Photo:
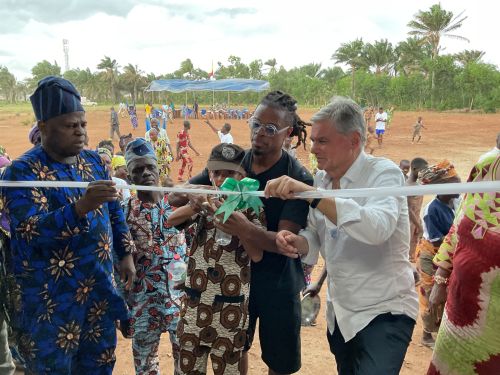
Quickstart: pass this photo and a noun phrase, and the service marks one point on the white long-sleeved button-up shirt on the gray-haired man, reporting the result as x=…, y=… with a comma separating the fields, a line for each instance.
x=366, y=253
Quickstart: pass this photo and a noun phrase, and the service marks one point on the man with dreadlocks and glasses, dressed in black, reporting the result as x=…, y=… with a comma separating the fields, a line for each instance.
x=276, y=280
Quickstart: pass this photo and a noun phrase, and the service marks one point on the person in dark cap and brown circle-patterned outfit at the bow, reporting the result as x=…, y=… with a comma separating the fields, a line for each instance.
x=214, y=318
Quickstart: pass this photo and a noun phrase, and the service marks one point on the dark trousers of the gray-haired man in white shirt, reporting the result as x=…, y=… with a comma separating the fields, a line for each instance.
x=378, y=349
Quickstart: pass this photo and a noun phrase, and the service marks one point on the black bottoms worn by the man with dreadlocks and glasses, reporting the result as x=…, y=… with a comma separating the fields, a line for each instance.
x=279, y=329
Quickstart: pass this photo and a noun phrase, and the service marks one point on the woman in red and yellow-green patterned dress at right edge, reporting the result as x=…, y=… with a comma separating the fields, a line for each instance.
x=468, y=278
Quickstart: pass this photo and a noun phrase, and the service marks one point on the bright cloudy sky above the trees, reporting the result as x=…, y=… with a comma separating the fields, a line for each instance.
x=158, y=34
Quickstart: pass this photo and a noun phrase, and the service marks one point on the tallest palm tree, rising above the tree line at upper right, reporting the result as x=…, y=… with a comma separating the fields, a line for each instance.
x=434, y=24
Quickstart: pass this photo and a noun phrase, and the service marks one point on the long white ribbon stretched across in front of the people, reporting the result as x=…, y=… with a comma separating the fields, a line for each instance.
x=450, y=188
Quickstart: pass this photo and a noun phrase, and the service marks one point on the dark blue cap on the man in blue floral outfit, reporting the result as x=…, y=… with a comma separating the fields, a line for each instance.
x=53, y=97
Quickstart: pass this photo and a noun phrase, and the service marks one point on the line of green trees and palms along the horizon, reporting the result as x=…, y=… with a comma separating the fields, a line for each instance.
x=412, y=74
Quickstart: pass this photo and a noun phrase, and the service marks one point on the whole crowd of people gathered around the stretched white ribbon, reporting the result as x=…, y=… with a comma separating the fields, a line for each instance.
x=80, y=263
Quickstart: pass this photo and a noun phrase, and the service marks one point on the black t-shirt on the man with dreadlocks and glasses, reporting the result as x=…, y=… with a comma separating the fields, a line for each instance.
x=275, y=272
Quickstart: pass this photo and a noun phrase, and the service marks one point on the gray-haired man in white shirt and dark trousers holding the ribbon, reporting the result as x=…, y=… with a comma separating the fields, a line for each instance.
x=372, y=304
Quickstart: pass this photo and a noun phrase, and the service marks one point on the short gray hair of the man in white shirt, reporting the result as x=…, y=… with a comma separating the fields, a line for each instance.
x=345, y=115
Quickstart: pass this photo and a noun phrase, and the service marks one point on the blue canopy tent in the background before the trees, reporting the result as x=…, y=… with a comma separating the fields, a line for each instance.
x=183, y=85
